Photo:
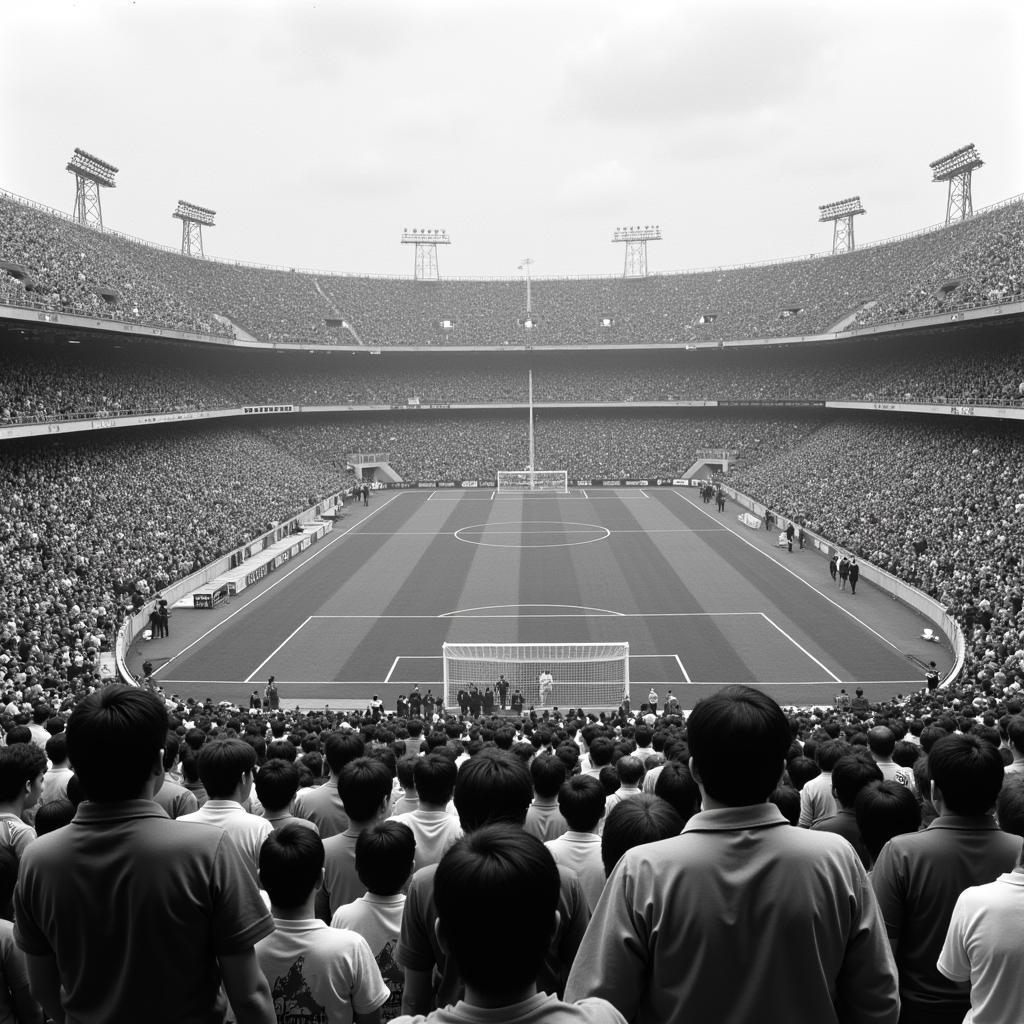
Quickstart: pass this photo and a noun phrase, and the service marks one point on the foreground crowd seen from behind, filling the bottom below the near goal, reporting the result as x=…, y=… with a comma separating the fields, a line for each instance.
x=332, y=867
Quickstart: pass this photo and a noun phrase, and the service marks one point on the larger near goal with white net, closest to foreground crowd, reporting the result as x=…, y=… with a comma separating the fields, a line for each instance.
x=584, y=675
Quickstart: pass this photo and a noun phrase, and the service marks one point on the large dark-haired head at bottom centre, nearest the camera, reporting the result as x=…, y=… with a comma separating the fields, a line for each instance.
x=482, y=871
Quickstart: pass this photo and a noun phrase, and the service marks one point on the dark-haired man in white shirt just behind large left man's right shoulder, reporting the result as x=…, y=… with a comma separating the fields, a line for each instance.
x=226, y=769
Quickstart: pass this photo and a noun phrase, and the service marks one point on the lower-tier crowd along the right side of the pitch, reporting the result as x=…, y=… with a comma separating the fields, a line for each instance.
x=937, y=505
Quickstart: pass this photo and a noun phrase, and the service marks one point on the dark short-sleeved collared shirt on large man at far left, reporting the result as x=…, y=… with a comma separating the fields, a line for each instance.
x=146, y=893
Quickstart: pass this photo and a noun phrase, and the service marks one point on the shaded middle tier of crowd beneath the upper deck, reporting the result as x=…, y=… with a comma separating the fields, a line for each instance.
x=49, y=379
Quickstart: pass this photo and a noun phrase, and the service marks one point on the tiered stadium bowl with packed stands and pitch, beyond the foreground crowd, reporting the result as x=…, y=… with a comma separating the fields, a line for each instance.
x=432, y=390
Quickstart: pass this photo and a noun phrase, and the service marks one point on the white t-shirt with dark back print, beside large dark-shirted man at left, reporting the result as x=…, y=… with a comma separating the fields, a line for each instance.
x=320, y=973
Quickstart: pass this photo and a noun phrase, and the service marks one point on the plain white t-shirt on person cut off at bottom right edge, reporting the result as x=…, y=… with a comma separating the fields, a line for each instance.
x=984, y=946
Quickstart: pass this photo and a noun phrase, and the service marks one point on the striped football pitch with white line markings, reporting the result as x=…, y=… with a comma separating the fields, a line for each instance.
x=702, y=601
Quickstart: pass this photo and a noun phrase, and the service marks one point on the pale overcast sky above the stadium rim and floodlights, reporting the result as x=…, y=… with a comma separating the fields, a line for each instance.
x=318, y=132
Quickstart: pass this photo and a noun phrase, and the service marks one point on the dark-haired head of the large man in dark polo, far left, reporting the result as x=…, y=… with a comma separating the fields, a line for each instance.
x=115, y=737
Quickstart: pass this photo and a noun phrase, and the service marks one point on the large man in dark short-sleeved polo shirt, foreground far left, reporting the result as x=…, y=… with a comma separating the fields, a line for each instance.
x=92, y=954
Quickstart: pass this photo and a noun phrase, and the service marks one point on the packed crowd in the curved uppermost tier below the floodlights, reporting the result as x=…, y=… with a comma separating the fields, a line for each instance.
x=64, y=267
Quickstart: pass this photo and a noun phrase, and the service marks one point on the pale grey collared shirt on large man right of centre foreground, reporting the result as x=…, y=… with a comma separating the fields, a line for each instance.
x=677, y=917
